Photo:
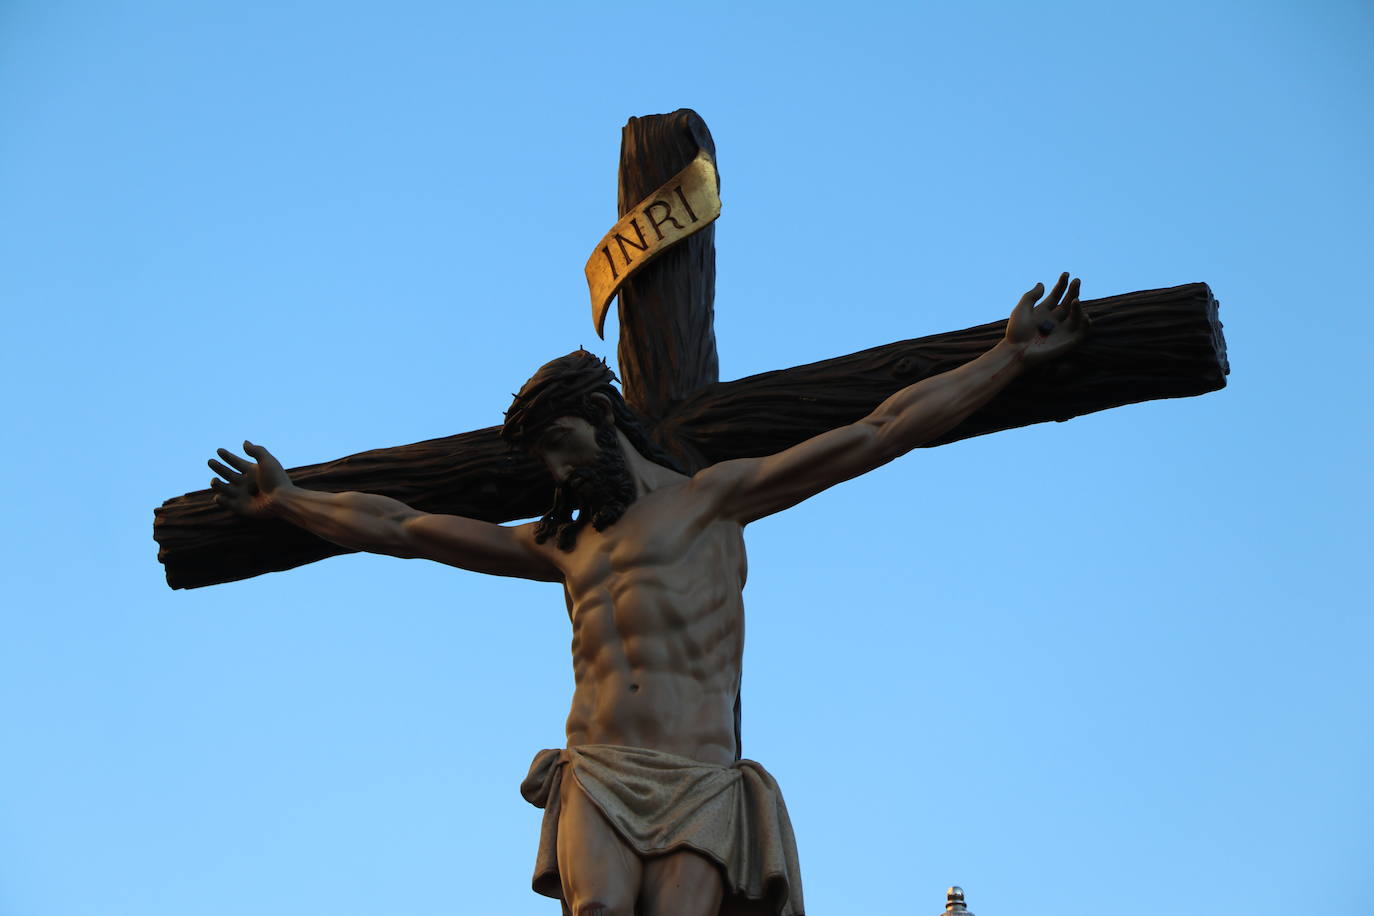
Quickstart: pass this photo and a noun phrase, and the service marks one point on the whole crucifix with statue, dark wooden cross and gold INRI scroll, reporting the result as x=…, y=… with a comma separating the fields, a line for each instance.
x=644, y=495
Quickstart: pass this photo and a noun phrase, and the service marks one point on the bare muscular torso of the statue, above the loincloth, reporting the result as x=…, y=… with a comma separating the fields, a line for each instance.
x=659, y=628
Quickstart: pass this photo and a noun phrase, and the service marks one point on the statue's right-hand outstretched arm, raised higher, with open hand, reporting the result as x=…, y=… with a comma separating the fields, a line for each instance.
x=748, y=490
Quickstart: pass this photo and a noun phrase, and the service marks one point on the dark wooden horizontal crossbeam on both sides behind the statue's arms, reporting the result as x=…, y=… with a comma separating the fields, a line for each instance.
x=1156, y=344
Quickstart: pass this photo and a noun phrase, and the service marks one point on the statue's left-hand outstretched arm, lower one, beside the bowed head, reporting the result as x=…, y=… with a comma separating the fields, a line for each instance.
x=377, y=524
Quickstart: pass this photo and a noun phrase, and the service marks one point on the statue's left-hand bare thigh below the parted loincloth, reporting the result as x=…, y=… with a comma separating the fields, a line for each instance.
x=594, y=863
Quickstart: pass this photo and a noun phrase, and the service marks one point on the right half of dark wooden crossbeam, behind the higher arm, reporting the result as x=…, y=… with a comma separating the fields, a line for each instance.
x=1148, y=345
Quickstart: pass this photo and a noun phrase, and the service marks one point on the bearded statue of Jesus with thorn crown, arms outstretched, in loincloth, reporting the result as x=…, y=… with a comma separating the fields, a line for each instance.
x=649, y=808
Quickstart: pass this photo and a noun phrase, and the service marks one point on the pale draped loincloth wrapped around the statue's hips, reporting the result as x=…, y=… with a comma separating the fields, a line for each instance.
x=660, y=804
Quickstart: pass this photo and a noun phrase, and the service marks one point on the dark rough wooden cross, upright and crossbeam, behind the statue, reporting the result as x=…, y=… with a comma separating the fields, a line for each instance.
x=1153, y=344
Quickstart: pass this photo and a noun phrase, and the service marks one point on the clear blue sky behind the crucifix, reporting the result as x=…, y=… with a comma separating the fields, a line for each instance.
x=1110, y=667
